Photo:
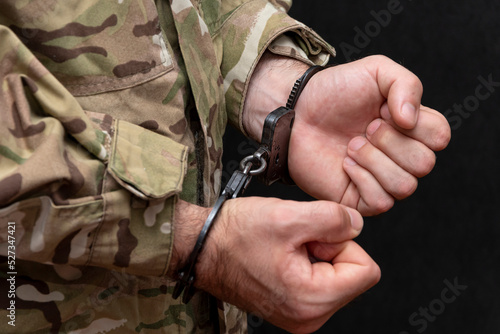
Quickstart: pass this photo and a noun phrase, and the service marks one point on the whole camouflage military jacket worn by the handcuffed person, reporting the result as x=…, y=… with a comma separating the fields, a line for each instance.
x=110, y=112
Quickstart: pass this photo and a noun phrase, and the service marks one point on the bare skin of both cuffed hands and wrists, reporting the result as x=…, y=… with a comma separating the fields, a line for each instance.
x=361, y=139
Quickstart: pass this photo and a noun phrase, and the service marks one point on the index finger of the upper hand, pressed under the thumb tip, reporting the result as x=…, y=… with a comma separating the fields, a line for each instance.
x=432, y=128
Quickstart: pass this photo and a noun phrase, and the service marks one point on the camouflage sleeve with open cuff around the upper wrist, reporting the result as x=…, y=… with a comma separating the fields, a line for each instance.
x=261, y=25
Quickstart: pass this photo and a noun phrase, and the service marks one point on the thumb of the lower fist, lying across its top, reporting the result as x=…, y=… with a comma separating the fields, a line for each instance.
x=323, y=221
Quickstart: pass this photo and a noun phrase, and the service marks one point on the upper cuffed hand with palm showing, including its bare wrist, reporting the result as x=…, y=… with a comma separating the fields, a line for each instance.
x=360, y=137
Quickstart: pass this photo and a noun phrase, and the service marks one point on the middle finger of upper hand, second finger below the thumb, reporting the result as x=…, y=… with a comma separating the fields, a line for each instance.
x=408, y=153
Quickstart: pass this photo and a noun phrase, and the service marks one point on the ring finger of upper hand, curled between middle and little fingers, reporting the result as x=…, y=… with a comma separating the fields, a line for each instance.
x=394, y=179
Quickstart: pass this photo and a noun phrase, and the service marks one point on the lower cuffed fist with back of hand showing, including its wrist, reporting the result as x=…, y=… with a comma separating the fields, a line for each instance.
x=258, y=257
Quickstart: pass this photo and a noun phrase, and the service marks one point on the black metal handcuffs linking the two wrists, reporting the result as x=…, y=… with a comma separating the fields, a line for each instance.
x=271, y=162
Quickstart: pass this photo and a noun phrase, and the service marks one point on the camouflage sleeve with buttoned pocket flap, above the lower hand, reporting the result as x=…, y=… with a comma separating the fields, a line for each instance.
x=71, y=181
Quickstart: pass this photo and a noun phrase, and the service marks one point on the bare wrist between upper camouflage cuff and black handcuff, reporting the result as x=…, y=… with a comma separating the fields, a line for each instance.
x=269, y=88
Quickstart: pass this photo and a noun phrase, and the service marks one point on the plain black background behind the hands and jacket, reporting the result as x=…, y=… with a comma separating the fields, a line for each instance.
x=449, y=229
